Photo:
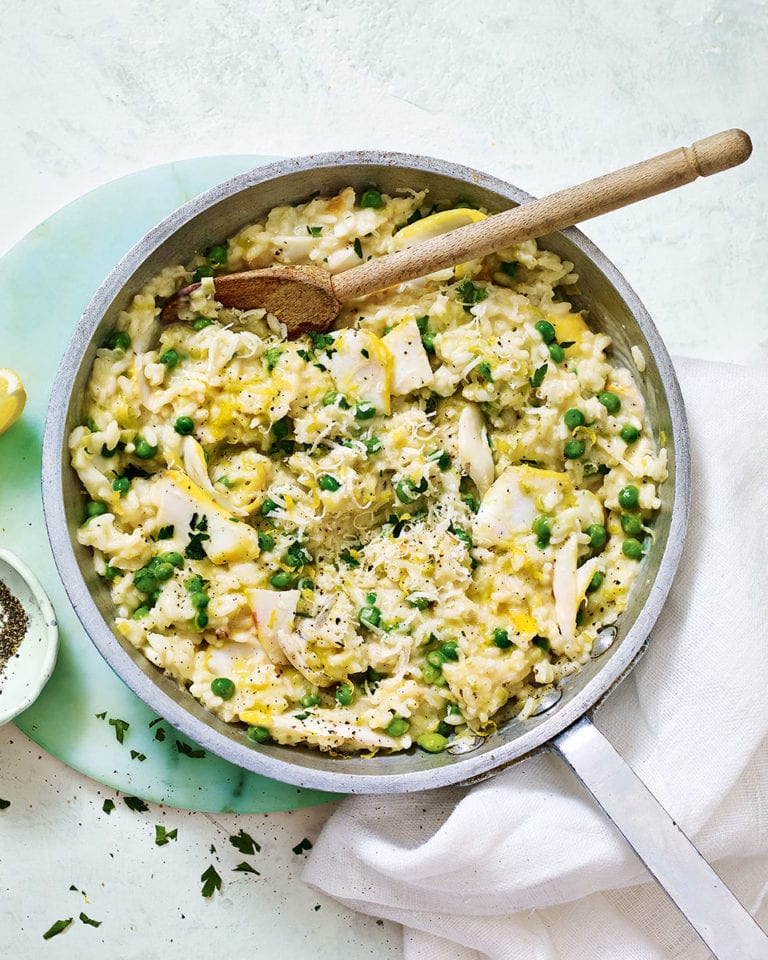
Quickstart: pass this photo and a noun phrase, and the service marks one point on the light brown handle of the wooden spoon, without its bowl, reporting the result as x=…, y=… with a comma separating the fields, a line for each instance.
x=539, y=217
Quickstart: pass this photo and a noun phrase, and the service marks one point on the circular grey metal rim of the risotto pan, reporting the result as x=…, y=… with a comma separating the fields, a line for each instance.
x=461, y=769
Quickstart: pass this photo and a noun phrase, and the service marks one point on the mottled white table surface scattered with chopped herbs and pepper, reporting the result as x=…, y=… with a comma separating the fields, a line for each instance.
x=541, y=95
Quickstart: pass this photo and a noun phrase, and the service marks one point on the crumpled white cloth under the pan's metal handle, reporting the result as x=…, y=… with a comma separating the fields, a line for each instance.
x=525, y=866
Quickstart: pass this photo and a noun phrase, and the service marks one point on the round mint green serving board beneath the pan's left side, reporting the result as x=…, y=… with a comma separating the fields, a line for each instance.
x=46, y=280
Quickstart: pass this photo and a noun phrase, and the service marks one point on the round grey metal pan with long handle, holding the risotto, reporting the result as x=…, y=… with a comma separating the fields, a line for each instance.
x=562, y=723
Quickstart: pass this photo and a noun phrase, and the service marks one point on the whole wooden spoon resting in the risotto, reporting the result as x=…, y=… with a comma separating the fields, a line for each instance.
x=308, y=298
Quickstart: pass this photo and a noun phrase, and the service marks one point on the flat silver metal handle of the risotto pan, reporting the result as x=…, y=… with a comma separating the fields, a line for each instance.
x=693, y=886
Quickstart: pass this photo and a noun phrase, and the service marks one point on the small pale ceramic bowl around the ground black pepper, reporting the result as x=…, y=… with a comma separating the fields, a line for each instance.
x=28, y=670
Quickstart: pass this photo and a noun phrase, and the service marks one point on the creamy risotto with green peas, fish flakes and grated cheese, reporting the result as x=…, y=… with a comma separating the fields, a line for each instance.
x=393, y=533
